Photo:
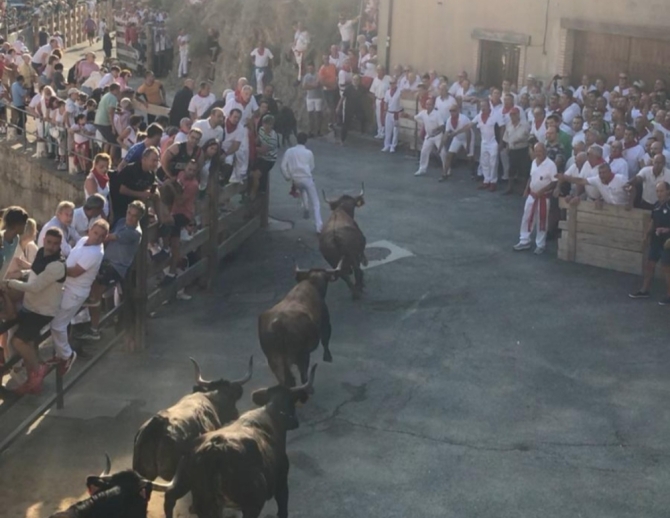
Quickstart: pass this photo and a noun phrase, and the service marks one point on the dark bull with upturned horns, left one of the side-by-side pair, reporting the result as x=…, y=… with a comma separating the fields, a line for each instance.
x=161, y=441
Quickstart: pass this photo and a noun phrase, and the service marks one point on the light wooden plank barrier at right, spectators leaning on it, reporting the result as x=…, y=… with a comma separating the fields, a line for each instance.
x=611, y=237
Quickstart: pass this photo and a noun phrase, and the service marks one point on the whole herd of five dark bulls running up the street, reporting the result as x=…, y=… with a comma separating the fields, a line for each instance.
x=202, y=444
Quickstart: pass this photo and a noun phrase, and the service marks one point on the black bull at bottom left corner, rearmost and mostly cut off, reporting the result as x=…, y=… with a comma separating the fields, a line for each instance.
x=124, y=494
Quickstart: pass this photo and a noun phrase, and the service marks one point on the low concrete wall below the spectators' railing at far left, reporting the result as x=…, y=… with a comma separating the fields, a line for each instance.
x=34, y=184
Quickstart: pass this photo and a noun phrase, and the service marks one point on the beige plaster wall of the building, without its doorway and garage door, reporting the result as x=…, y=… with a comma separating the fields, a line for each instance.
x=439, y=33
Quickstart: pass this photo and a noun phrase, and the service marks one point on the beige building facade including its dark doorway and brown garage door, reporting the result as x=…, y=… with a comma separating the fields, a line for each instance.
x=493, y=41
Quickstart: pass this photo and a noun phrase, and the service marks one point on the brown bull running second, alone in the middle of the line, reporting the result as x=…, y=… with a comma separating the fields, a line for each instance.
x=291, y=330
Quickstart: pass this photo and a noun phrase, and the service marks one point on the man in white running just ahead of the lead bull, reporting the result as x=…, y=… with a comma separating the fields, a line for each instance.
x=297, y=167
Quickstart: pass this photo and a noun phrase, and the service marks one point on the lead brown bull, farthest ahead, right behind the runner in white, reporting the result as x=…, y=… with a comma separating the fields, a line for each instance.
x=341, y=239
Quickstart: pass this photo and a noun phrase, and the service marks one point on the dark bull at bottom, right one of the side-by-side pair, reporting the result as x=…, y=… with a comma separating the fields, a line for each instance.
x=244, y=464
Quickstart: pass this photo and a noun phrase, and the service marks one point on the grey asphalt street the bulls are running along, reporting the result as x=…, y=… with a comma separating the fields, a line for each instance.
x=470, y=380
